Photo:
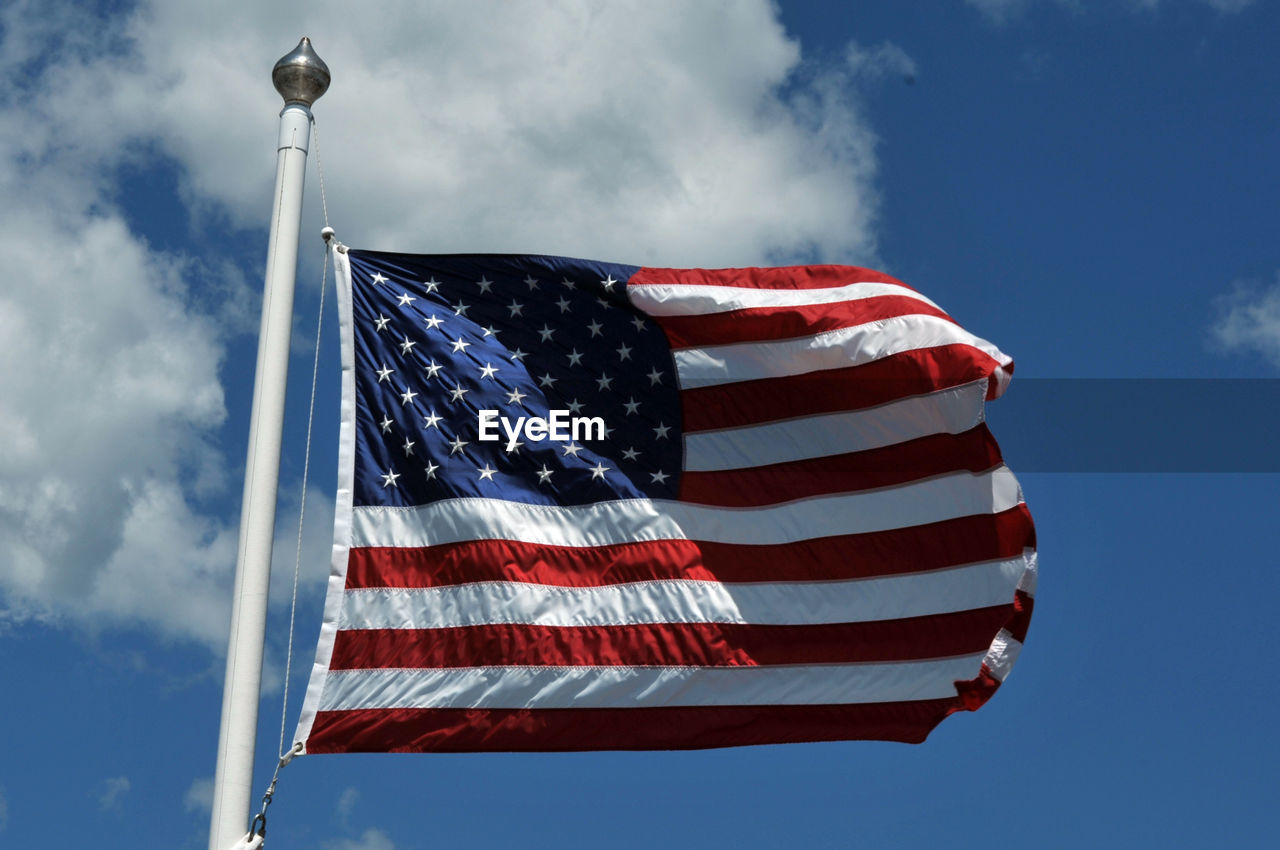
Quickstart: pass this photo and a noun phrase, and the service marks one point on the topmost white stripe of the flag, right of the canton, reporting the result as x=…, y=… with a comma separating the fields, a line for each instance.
x=693, y=300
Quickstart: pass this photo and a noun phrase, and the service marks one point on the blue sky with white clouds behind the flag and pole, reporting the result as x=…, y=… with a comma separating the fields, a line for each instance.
x=1089, y=184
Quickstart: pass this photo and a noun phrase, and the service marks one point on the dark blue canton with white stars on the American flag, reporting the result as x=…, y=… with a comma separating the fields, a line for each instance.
x=440, y=339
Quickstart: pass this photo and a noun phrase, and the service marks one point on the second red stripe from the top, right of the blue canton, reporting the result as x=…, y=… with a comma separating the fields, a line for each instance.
x=761, y=325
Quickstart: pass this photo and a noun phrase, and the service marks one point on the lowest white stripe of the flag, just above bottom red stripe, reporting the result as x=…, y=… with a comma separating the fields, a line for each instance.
x=648, y=687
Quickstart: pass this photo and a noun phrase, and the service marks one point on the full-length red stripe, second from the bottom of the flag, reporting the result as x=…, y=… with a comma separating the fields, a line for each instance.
x=671, y=645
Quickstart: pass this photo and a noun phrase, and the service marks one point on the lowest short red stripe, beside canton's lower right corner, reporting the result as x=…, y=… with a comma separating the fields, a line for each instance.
x=975, y=451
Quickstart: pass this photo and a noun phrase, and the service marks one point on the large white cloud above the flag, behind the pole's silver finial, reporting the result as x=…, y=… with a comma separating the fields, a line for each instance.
x=647, y=132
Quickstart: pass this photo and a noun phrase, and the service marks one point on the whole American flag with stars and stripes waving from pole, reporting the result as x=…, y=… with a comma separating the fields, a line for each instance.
x=593, y=506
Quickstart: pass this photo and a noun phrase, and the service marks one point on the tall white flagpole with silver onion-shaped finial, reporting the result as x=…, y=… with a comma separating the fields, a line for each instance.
x=301, y=77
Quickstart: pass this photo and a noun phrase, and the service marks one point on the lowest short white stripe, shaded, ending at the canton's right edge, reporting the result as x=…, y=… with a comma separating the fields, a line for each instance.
x=949, y=412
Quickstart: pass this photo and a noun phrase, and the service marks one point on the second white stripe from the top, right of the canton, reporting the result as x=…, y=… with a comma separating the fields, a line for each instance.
x=830, y=350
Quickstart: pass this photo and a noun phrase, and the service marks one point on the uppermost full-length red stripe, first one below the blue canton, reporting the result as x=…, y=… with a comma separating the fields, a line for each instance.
x=935, y=546
